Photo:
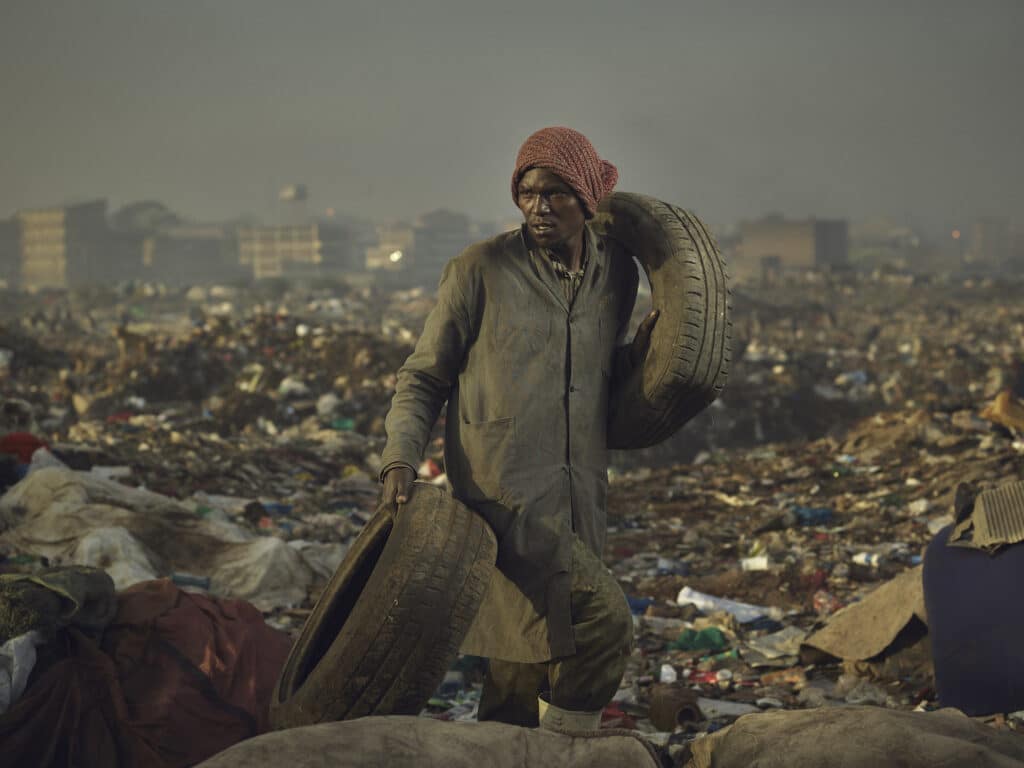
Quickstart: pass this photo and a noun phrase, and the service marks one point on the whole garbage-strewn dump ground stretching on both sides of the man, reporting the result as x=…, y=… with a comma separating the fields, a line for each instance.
x=218, y=452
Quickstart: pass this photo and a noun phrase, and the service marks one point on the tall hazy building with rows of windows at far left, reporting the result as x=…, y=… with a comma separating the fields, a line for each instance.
x=73, y=246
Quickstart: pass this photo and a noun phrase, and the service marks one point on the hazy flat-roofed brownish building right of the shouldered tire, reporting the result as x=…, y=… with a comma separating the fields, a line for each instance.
x=774, y=245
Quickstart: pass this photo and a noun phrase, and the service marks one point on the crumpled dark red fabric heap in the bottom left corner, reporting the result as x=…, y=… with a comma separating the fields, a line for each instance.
x=178, y=678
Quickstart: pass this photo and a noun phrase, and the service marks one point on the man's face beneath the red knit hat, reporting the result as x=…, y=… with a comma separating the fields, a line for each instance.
x=553, y=212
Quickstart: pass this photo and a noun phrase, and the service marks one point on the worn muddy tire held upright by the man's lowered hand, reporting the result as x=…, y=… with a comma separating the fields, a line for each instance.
x=390, y=623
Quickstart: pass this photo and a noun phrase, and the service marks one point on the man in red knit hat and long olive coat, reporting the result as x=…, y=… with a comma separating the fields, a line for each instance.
x=523, y=346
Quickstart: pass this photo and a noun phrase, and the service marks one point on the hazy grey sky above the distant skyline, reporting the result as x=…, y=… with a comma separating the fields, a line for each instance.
x=386, y=109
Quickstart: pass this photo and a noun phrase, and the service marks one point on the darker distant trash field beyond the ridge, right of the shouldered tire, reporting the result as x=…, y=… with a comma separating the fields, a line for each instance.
x=815, y=357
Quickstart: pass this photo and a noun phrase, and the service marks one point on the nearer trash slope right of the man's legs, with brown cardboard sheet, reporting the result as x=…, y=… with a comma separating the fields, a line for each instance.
x=734, y=564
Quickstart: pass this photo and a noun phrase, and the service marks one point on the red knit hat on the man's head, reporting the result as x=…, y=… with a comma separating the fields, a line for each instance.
x=569, y=154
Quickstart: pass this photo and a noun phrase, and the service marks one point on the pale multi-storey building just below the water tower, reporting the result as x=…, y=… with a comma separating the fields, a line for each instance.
x=308, y=251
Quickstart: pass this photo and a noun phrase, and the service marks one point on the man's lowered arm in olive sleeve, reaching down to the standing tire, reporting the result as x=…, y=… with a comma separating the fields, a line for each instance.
x=428, y=377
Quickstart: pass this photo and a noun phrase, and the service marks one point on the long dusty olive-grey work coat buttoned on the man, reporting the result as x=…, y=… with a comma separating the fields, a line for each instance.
x=527, y=376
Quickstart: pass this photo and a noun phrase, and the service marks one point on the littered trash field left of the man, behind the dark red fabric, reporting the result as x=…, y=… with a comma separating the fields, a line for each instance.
x=252, y=428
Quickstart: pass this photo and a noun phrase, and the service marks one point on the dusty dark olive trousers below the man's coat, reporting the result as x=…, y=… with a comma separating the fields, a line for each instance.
x=603, y=628
